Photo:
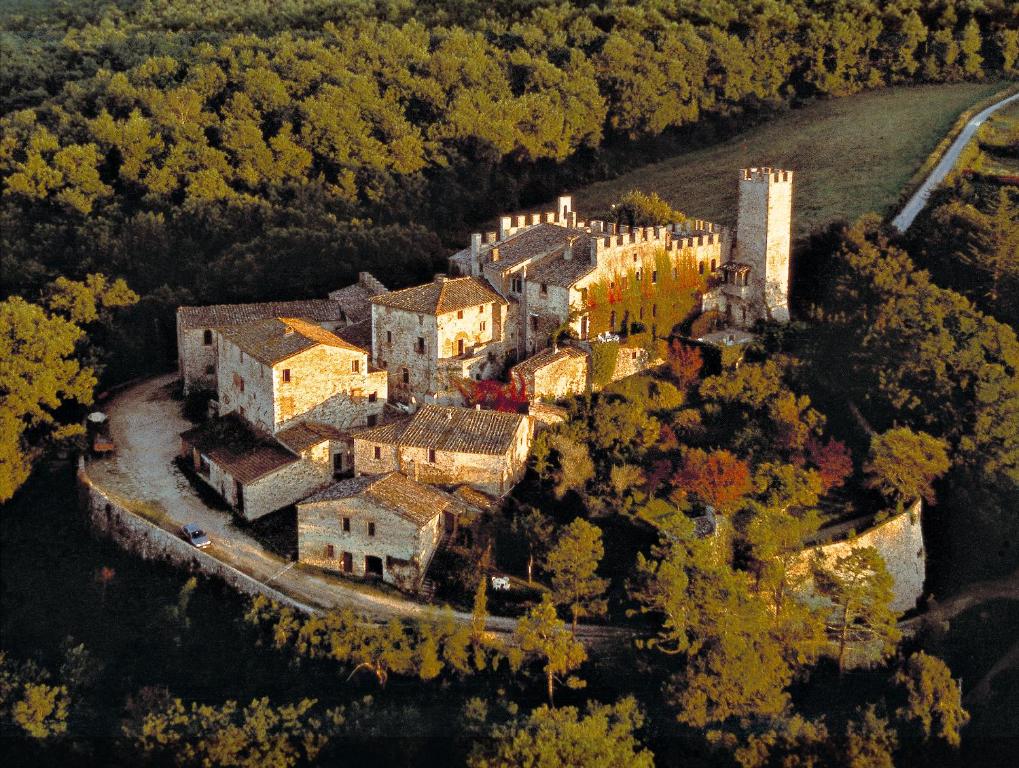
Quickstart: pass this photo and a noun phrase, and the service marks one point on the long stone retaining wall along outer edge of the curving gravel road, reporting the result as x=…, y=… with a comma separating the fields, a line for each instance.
x=151, y=542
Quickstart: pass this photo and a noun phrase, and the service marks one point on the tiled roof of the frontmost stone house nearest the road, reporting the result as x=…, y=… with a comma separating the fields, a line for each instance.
x=414, y=502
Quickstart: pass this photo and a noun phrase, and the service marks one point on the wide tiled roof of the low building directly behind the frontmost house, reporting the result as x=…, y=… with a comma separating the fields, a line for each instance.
x=450, y=429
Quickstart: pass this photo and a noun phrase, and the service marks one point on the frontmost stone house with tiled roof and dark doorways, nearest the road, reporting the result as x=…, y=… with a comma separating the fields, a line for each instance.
x=385, y=526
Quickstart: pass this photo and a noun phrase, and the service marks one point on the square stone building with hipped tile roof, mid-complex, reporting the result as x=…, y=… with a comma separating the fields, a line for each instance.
x=432, y=336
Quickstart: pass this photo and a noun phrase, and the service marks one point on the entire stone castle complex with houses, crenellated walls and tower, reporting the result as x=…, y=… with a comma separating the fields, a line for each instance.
x=369, y=382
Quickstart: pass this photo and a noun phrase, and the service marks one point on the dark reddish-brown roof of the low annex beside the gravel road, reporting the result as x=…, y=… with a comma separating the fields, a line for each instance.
x=239, y=451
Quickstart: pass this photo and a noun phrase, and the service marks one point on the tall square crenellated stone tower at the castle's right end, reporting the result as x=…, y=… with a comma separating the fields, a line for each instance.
x=764, y=233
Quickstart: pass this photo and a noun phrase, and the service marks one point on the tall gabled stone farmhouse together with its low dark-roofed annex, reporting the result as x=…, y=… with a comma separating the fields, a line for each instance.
x=288, y=391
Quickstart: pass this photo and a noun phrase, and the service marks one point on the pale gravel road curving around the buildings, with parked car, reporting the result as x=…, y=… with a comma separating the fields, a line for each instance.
x=146, y=423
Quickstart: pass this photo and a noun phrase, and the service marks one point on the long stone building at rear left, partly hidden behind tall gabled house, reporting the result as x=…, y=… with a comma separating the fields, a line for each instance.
x=197, y=344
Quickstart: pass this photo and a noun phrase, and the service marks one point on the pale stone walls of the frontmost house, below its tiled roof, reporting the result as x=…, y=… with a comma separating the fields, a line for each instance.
x=320, y=525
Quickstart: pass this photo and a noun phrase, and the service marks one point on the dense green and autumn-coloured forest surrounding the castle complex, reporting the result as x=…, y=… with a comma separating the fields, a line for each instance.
x=159, y=152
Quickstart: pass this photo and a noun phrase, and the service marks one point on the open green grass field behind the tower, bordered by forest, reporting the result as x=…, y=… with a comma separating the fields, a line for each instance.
x=852, y=155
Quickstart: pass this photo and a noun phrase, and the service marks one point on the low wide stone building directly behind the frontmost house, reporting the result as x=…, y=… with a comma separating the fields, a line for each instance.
x=449, y=446
